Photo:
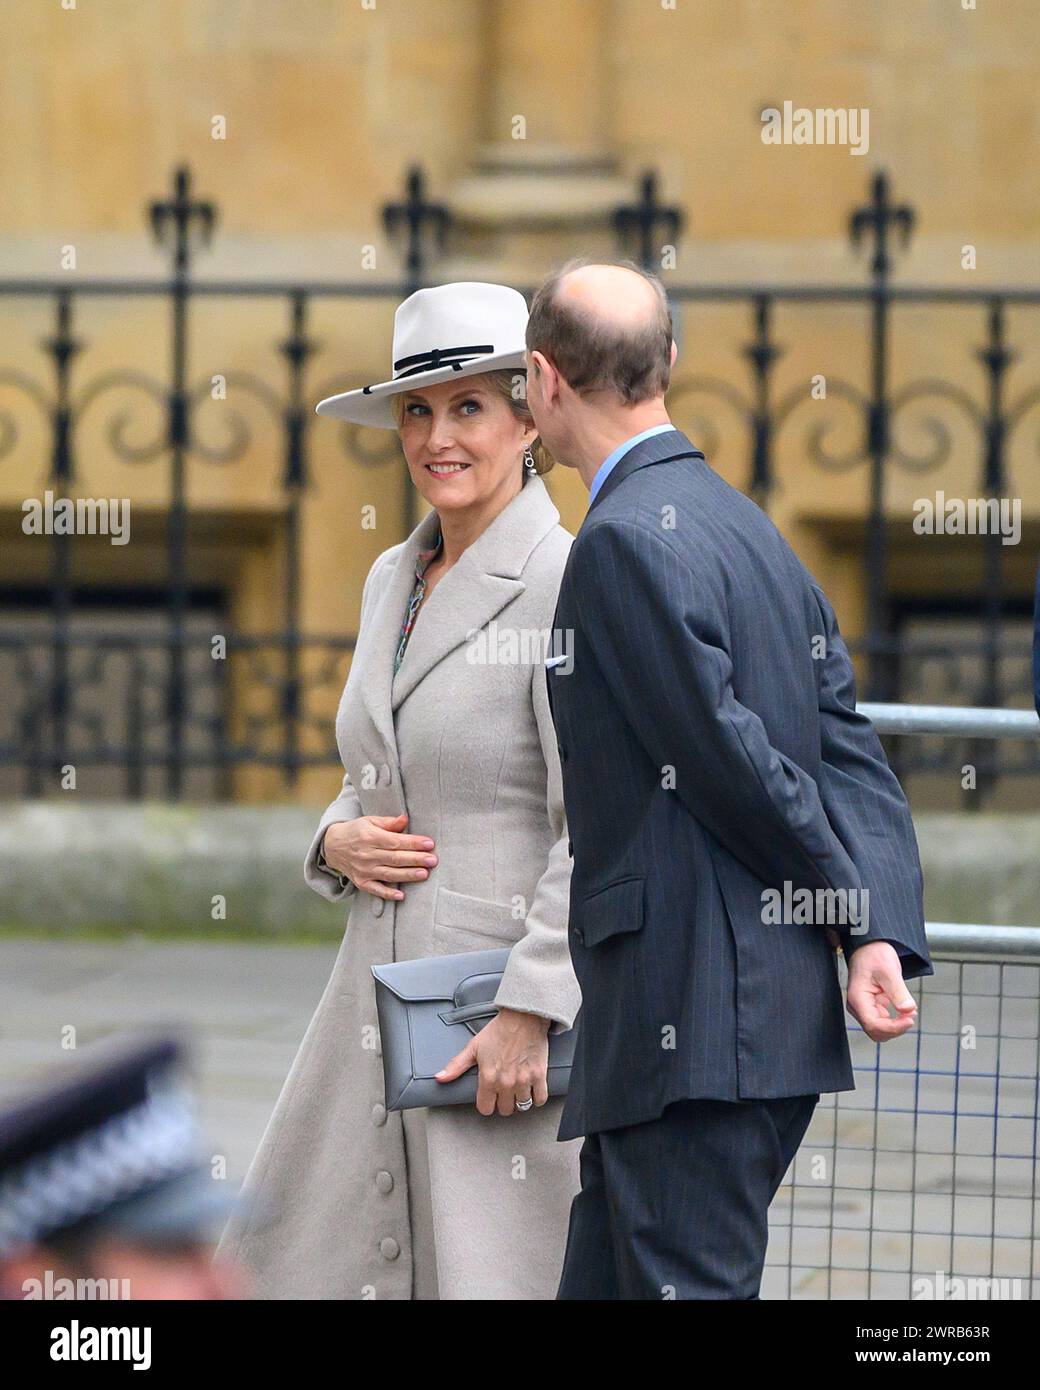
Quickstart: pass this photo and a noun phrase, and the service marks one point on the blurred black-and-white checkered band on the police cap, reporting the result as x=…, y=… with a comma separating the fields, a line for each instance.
x=119, y=1159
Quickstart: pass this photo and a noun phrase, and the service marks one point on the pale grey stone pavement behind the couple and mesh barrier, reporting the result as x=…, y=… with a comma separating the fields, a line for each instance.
x=866, y=1179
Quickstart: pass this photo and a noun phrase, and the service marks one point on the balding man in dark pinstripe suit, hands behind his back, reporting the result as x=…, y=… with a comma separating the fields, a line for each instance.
x=731, y=817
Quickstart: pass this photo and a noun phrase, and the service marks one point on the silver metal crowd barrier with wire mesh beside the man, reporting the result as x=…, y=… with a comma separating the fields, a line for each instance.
x=923, y=1184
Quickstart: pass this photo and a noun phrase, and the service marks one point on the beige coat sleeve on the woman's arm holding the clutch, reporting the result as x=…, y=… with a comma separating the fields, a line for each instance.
x=540, y=976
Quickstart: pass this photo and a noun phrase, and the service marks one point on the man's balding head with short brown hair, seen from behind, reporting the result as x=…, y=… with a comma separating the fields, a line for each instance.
x=606, y=327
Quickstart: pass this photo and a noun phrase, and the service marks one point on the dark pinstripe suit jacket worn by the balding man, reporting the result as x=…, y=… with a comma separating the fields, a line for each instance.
x=711, y=751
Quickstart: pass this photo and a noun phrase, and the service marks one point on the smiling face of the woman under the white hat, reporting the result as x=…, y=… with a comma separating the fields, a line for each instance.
x=462, y=441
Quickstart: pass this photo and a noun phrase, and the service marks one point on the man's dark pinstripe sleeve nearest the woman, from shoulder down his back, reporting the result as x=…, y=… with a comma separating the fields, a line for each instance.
x=660, y=635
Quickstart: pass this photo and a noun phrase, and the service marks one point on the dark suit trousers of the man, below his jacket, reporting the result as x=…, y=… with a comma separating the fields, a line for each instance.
x=678, y=1207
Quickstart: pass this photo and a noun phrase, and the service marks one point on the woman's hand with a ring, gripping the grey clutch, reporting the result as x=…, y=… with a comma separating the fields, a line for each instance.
x=514, y=1058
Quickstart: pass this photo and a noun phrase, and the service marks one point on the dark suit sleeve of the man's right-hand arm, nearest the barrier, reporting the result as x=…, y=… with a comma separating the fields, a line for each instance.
x=870, y=814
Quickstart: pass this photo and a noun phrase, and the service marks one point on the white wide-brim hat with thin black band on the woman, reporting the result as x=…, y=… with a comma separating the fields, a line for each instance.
x=440, y=334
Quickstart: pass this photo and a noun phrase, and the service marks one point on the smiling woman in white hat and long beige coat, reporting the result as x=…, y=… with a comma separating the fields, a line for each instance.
x=448, y=836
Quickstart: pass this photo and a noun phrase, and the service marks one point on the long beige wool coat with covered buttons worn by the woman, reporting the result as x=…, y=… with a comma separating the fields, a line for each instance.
x=437, y=1203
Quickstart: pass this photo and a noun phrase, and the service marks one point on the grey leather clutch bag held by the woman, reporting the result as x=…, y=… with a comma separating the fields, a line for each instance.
x=429, y=1011
